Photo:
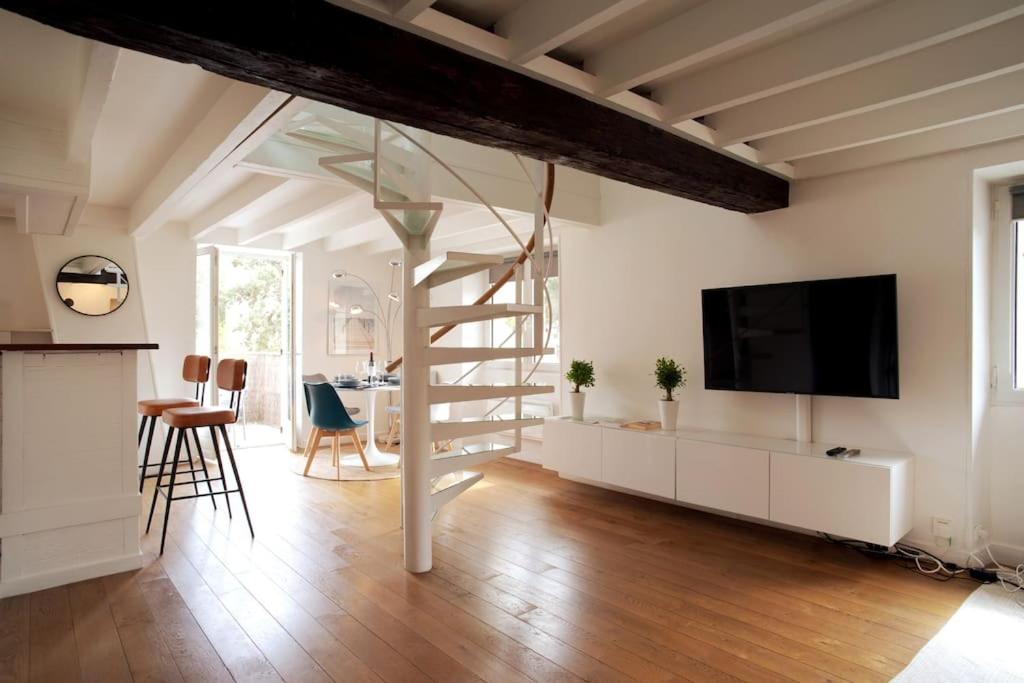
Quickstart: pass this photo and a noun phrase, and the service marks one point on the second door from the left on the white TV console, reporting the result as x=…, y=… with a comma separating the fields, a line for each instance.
x=639, y=462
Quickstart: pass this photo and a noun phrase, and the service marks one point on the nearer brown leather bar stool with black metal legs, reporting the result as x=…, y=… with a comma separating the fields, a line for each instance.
x=231, y=377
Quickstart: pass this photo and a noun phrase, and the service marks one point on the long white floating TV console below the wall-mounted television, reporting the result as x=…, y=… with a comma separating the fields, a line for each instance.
x=869, y=497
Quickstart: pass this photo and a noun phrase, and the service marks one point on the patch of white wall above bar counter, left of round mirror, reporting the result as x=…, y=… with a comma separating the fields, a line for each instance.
x=22, y=304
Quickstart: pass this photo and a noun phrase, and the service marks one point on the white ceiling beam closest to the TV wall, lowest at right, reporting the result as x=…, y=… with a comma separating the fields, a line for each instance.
x=968, y=135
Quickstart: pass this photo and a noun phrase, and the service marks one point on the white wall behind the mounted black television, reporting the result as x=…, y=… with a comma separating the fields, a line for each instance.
x=631, y=292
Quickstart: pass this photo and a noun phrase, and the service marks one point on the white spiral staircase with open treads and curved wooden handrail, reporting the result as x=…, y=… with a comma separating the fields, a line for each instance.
x=396, y=166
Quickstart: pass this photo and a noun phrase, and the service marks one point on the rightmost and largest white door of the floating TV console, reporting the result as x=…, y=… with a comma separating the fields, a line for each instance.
x=833, y=496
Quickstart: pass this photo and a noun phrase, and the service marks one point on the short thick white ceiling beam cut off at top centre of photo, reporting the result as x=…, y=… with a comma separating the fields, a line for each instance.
x=537, y=27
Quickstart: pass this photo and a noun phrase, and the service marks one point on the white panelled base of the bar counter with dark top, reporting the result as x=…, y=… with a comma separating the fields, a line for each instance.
x=70, y=505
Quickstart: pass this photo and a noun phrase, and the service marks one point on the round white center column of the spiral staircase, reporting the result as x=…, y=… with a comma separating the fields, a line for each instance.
x=416, y=414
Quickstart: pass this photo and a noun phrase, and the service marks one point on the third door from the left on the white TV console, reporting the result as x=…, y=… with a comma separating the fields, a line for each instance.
x=723, y=478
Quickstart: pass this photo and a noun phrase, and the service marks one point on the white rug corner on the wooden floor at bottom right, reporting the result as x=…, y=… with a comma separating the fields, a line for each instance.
x=985, y=642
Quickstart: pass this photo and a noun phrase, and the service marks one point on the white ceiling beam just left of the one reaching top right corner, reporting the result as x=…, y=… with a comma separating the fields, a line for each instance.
x=707, y=31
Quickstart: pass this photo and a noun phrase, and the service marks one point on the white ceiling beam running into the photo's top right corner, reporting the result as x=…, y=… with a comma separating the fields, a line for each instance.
x=867, y=38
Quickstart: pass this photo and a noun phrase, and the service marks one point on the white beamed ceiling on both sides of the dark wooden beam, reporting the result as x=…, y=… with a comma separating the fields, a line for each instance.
x=801, y=88
